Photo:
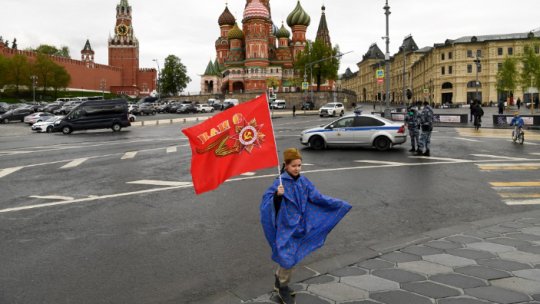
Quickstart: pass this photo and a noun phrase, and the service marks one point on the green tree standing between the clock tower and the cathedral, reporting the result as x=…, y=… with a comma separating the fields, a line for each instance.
x=173, y=79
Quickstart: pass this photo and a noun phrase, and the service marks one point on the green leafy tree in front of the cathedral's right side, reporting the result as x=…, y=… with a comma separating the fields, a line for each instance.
x=320, y=59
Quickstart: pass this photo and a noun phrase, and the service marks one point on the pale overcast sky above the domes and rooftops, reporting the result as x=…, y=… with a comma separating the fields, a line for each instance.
x=188, y=29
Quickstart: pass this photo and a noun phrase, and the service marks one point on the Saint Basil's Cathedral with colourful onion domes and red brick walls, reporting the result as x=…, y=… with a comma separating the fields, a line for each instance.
x=247, y=57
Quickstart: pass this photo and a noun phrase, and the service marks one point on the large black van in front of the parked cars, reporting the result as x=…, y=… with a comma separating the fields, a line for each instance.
x=95, y=114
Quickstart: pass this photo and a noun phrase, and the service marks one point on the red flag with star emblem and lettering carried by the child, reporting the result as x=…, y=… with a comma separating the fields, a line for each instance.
x=233, y=142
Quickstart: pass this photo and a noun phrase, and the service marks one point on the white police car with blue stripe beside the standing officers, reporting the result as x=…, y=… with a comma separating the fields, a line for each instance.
x=356, y=130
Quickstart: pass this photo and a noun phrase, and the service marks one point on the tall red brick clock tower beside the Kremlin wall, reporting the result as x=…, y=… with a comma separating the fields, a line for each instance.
x=124, y=47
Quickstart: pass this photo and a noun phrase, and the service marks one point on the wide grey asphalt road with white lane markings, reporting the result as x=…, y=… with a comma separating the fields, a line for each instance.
x=103, y=217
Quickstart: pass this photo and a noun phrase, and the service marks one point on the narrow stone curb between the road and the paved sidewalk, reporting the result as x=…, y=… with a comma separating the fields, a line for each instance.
x=255, y=288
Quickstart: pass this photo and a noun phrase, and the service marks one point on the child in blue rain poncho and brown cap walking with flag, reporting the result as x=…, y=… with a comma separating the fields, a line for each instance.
x=296, y=219
